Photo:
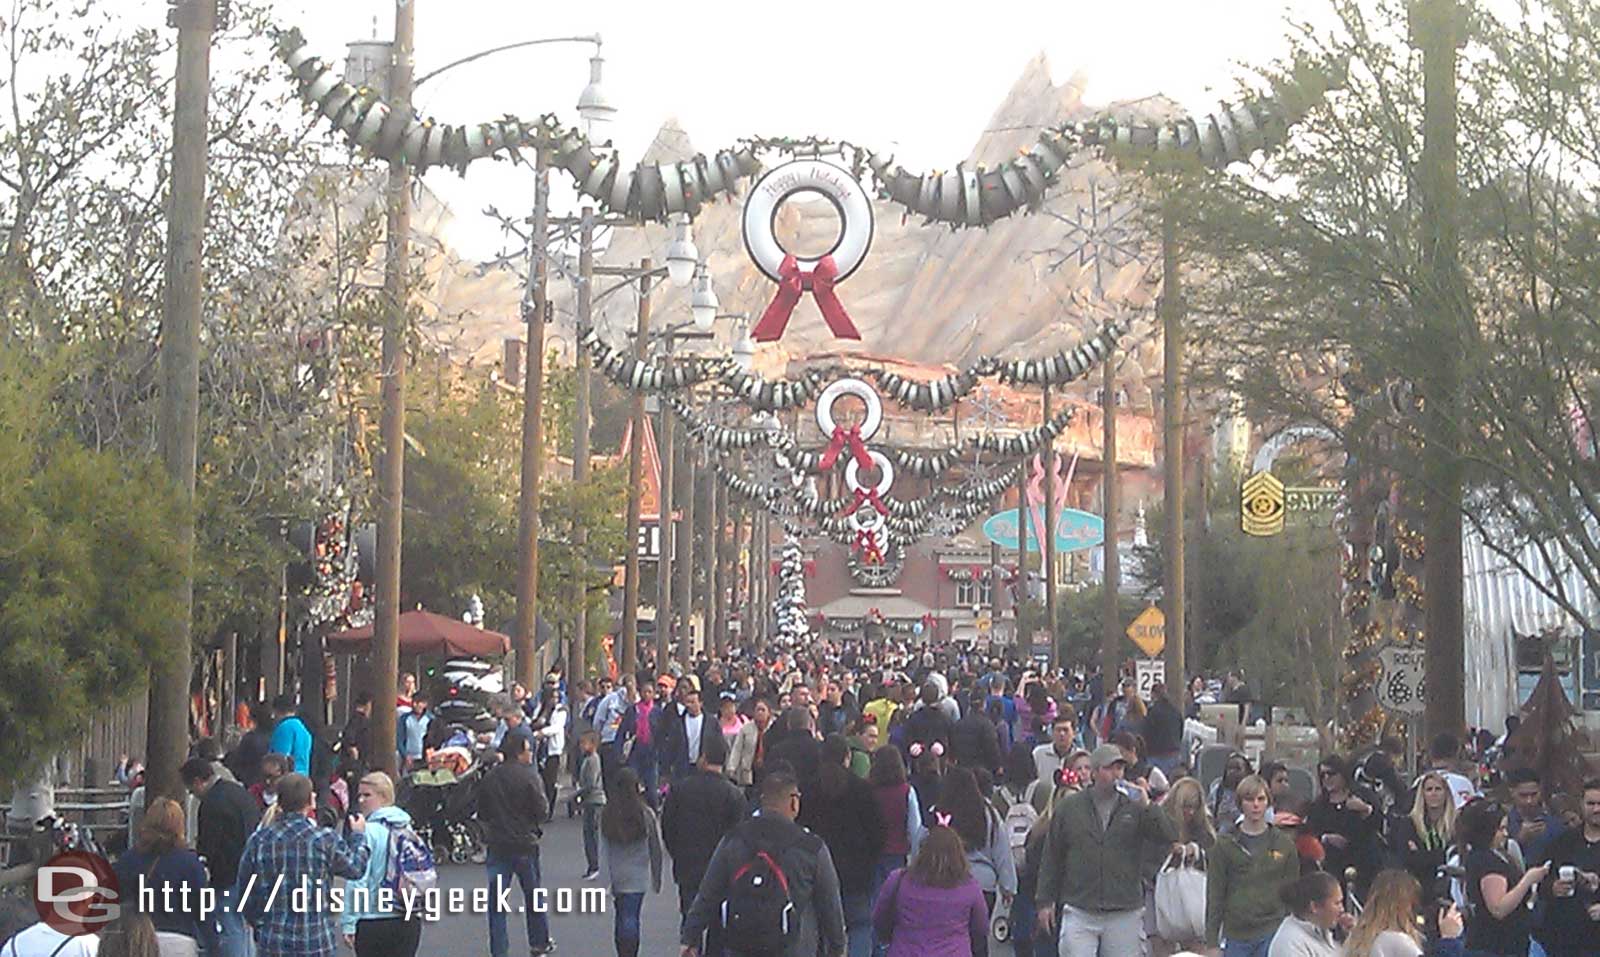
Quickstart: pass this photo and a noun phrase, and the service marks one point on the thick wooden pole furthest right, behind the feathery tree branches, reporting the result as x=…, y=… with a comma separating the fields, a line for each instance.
x=1438, y=31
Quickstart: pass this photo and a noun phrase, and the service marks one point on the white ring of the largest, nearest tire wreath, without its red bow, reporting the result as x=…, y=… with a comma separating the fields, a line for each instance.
x=839, y=186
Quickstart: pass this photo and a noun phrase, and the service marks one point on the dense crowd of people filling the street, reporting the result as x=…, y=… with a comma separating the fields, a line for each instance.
x=916, y=804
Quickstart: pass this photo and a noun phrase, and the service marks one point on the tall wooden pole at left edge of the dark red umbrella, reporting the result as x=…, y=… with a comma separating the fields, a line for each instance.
x=391, y=466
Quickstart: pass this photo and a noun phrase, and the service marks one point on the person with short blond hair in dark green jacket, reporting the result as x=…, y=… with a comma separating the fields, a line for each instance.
x=1244, y=876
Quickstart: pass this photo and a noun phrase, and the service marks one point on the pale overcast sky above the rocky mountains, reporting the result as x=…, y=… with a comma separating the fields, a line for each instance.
x=919, y=79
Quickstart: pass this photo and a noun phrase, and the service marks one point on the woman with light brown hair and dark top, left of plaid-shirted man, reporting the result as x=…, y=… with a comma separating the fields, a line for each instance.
x=162, y=870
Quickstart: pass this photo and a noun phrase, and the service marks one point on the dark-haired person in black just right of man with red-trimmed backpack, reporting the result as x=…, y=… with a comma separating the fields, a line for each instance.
x=844, y=812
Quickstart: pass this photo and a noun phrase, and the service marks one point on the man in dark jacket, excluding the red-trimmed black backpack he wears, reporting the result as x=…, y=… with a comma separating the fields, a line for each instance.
x=807, y=867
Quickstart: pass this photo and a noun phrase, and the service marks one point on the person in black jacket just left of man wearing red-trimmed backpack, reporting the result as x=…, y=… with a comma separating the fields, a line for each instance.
x=698, y=814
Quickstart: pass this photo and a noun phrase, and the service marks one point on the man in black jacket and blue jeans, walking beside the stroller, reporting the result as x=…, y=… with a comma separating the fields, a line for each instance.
x=511, y=807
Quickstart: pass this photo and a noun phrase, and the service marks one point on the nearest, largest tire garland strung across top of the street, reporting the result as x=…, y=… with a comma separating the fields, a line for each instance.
x=962, y=198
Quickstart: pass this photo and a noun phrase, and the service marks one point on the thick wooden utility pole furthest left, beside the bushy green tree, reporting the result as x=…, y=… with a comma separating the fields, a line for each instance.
x=167, y=726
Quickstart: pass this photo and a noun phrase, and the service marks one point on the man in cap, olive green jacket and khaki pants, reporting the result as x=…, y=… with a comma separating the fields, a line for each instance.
x=1100, y=851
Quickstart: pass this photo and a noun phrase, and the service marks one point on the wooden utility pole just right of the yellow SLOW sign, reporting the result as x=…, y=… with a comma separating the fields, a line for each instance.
x=1174, y=454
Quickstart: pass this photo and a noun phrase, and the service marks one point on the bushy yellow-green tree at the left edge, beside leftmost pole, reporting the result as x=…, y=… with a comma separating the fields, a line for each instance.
x=86, y=574
